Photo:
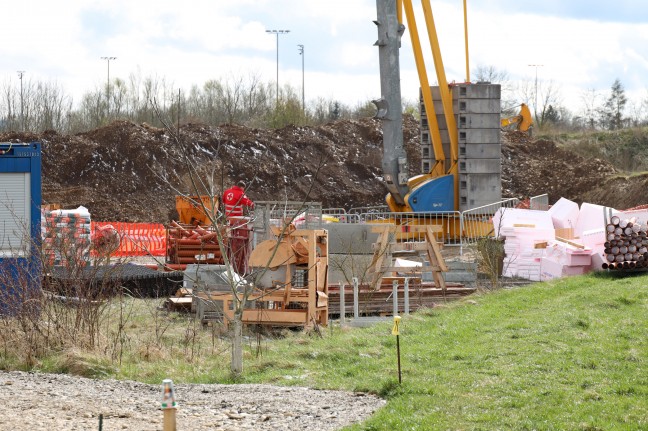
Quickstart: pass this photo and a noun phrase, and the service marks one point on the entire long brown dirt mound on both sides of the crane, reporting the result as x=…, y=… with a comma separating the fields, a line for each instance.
x=132, y=172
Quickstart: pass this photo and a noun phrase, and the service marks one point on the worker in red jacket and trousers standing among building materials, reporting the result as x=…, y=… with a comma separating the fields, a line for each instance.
x=239, y=238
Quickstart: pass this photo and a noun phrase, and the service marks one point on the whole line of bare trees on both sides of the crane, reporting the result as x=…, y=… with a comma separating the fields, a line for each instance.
x=37, y=106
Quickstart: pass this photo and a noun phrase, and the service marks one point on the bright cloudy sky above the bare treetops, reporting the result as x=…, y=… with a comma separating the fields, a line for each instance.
x=577, y=45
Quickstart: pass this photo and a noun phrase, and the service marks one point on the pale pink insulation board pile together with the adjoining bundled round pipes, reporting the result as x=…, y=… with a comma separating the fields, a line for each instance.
x=568, y=240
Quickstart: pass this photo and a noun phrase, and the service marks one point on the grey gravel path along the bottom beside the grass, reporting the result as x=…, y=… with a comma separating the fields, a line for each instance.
x=36, y=401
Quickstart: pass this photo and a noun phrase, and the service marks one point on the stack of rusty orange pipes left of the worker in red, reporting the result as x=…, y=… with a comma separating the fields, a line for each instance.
x=188, y=244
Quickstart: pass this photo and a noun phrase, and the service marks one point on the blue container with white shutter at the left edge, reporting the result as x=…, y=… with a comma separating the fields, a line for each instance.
x=20, y=225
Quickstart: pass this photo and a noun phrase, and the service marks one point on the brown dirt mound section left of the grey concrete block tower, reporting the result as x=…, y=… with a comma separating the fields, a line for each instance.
x=131, y=172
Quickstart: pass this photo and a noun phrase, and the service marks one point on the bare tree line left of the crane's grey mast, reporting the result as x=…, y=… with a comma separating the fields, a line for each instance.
x=37, y=106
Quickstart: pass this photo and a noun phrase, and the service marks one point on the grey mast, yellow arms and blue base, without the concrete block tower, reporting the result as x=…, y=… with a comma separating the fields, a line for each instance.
x=436, y=190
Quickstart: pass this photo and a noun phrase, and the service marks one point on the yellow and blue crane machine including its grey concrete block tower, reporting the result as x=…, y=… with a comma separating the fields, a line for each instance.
x=463, y=139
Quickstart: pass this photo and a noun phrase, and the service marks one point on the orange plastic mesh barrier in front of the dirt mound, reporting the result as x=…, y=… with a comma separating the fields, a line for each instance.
x=137, y=239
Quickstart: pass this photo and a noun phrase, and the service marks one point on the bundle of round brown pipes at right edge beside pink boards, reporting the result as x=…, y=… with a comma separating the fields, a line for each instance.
x=626, y=246
